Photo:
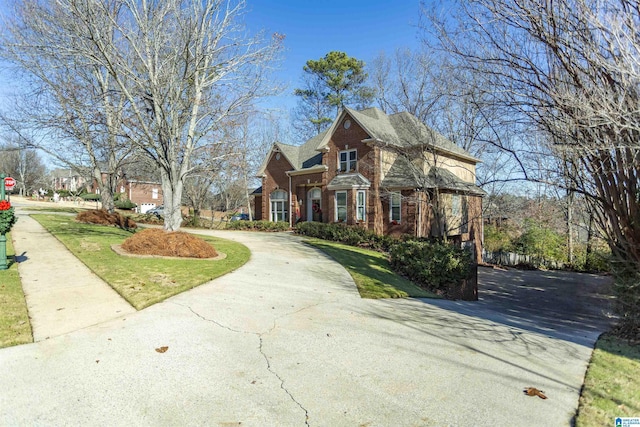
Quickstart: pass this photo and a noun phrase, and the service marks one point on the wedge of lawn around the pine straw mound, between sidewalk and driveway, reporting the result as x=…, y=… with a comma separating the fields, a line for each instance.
x=141, y=281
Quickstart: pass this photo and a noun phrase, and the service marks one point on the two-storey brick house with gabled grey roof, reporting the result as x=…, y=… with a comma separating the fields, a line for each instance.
x=387, y=173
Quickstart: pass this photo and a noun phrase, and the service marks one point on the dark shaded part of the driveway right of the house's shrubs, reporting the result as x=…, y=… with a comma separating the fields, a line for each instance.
x=574, y=307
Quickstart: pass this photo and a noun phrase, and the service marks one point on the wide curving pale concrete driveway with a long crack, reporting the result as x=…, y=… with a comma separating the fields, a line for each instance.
x=286, y=340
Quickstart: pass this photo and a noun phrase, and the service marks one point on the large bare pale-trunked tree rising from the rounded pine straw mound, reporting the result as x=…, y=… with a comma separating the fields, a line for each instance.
x=181, y=68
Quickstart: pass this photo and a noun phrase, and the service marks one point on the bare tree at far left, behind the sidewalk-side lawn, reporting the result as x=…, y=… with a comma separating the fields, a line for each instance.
x=71, y=110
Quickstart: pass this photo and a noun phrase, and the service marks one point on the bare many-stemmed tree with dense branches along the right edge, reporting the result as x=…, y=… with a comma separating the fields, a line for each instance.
x=569, y=69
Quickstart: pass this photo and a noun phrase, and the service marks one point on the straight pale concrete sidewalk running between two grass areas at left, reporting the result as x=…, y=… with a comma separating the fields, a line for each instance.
x=62, y=294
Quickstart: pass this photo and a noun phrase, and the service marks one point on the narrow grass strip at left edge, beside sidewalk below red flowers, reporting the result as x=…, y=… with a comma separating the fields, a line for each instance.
x=14, y=318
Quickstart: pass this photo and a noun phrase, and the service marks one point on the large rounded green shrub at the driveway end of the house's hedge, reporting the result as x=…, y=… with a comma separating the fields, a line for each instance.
x=433, y=265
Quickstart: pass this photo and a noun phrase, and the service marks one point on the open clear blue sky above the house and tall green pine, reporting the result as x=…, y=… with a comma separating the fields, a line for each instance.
x=360, y=28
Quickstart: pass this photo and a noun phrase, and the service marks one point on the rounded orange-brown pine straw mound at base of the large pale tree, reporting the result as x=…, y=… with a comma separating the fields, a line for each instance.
x=158, y=242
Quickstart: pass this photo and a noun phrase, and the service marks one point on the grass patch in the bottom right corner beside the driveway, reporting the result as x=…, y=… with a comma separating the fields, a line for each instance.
x=612, y=384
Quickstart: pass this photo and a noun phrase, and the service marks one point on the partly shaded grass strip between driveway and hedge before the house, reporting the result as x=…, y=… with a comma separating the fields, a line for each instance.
x=370, y=271
